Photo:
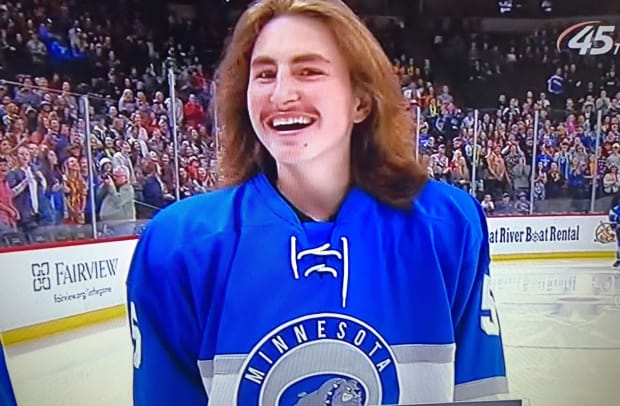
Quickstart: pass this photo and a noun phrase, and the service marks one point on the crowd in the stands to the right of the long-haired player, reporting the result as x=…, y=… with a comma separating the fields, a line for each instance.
x=566, y=90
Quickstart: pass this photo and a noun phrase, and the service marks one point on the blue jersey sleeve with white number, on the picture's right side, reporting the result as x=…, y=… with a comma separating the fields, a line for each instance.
x=479, y=366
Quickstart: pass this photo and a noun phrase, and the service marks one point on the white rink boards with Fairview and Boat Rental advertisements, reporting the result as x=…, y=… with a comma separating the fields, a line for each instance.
x=49, y=289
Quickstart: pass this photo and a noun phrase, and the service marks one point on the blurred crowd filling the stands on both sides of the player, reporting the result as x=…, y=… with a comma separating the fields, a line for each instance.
x=455, y=73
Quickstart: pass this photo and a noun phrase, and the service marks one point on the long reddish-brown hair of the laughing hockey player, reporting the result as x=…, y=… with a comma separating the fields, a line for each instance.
x=382, y=148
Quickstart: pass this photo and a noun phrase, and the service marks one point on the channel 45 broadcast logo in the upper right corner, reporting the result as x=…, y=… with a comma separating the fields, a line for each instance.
x=590, y=38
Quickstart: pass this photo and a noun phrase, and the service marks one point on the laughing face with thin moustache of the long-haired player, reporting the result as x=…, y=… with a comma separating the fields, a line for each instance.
x=298, y=73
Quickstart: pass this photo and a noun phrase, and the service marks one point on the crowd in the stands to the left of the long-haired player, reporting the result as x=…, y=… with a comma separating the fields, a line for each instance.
x=44, y=180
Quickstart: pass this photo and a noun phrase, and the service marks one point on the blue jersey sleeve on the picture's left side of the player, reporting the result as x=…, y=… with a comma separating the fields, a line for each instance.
x=163, y=323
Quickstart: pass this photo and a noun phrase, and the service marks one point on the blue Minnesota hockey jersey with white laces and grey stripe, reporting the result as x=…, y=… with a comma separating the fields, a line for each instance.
x=234, y=301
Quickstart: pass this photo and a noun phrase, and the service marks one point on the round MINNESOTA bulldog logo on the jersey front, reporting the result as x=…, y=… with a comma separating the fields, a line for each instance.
x=322, y=359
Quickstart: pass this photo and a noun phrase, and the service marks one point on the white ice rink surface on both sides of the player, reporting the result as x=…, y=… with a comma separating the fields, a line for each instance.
x=560, y=321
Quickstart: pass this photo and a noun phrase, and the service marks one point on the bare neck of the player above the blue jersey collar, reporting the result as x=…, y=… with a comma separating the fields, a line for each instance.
x=313, y=189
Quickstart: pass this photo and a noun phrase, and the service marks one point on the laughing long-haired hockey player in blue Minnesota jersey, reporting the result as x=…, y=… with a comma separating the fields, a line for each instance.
x=327, y=269
